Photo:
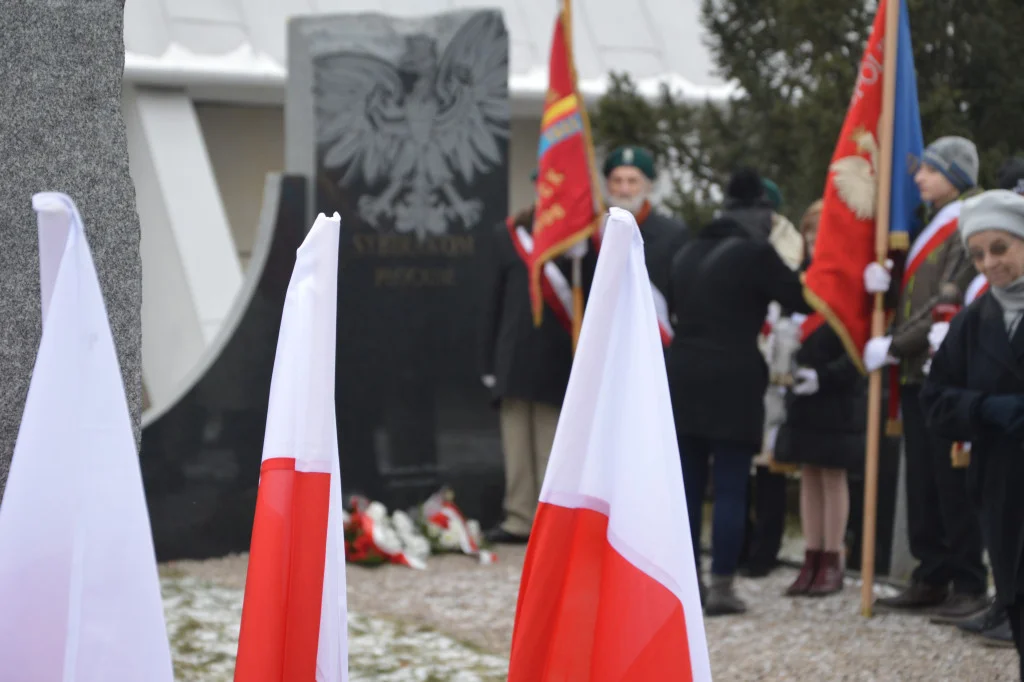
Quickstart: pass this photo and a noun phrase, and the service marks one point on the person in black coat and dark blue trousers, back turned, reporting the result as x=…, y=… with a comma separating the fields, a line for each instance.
x=720, y=287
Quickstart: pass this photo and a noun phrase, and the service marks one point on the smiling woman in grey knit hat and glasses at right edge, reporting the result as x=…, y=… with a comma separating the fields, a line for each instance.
x=975, y=390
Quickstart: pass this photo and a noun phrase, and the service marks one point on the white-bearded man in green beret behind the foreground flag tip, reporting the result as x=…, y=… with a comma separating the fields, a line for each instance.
x=629, y=176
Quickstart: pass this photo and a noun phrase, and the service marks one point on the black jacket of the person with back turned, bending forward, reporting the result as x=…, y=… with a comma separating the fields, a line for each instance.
x=721, y=285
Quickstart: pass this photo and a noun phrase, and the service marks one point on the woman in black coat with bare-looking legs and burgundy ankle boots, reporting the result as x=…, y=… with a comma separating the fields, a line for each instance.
x=826, y=419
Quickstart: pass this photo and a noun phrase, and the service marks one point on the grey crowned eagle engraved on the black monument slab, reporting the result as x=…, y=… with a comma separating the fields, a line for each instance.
x=420, y=127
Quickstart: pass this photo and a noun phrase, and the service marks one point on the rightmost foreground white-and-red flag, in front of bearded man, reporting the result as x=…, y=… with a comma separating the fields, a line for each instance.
x=610, y=587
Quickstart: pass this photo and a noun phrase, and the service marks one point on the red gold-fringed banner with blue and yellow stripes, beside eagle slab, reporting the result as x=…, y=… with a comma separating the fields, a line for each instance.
x=569, y=204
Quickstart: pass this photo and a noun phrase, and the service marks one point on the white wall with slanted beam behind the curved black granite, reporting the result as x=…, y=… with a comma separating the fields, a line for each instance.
x=191, y=272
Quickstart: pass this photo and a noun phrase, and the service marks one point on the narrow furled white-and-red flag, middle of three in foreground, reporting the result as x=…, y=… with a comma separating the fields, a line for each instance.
x=294, y=616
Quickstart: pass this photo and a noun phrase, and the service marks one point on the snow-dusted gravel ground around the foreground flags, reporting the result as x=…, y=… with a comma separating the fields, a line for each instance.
x=455, y=621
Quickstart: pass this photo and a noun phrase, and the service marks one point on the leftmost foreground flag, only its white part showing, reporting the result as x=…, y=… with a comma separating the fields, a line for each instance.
x=79, y=590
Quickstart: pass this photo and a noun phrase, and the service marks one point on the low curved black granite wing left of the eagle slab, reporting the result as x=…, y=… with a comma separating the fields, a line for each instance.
x=201, y=456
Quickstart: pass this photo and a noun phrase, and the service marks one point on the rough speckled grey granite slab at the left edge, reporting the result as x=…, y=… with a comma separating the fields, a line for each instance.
x=61, y=130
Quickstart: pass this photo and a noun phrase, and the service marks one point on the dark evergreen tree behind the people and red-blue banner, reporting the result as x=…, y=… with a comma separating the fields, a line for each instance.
x=795, y=63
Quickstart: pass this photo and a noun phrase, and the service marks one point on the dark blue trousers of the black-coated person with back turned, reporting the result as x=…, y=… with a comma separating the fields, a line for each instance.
x=730, y=465
